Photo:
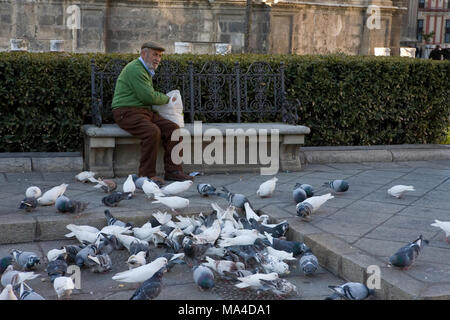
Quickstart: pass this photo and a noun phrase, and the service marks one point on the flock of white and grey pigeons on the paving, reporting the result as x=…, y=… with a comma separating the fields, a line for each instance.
x=236, y=244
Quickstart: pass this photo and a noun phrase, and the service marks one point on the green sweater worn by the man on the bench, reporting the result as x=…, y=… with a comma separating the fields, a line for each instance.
x=134, y=88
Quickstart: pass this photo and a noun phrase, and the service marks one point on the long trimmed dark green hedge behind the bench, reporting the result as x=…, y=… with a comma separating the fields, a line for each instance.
x=346, y=100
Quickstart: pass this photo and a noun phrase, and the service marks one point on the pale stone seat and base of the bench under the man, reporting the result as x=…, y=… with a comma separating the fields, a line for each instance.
x=110, y=151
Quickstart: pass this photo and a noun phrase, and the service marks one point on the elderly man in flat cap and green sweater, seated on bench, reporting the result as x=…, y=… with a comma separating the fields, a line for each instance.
x=132, y=110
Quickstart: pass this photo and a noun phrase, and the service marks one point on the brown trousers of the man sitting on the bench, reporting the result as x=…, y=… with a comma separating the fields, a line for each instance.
x=150, y=127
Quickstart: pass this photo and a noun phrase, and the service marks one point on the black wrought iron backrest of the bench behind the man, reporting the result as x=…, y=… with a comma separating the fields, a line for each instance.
x=211, y=93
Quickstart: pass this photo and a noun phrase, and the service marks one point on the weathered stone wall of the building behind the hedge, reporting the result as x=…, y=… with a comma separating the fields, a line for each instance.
x=301, y=27
